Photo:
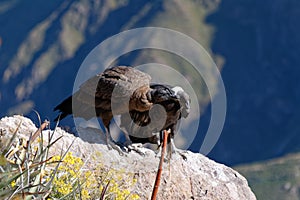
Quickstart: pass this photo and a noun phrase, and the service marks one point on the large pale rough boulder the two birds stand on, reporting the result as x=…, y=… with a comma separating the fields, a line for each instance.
x=198, y=177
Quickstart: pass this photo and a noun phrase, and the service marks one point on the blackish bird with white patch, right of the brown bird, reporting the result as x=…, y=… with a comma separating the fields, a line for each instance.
x=163, y=117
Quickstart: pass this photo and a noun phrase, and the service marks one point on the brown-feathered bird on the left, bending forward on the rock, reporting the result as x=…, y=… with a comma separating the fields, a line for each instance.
x=116, y=91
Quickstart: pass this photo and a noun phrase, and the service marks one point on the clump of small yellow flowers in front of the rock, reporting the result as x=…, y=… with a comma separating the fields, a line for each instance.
x=71, y=175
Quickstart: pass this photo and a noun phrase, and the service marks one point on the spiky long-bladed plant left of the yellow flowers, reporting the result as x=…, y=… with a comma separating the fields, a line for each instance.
x=23, y=166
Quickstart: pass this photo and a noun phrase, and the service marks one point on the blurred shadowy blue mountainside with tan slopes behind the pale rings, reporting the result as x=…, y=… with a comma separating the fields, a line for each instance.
x=256, y=45
